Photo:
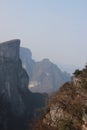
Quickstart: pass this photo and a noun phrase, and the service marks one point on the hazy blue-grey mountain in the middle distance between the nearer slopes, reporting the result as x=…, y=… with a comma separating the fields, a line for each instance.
x=44, y=75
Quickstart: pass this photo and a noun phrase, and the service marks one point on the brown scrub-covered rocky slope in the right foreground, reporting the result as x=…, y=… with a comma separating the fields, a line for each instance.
x=67, y=109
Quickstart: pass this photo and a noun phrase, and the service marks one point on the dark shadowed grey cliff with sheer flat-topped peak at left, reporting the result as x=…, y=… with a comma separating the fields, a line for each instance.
x=17, y=103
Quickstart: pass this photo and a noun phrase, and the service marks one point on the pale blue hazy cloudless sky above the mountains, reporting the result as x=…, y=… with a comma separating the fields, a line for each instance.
x=54, y=29
